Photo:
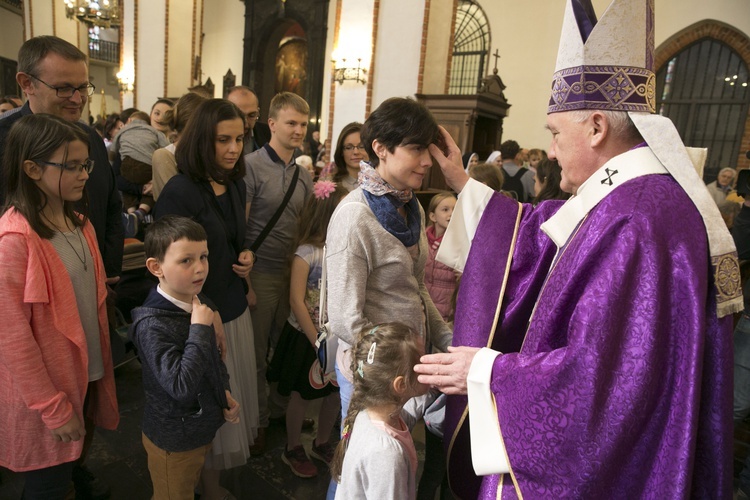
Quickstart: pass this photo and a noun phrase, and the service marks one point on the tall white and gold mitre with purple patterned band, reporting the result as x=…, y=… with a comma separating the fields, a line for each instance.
x=606, y=64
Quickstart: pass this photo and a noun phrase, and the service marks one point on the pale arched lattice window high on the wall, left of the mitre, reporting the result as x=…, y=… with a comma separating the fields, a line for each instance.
x=470, y=48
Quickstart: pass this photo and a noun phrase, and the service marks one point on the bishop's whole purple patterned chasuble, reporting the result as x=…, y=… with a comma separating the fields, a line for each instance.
x=622, y=385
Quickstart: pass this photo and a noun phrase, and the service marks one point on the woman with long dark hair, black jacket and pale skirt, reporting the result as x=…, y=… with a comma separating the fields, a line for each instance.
x=210, y=190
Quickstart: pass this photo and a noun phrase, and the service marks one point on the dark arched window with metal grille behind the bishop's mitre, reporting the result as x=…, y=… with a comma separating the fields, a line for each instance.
x=705, y=90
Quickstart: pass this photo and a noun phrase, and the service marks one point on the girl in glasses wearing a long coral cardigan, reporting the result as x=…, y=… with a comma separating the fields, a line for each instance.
x=55, y=360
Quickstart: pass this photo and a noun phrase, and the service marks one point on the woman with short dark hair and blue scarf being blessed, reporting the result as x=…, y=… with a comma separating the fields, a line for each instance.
x=376, y=244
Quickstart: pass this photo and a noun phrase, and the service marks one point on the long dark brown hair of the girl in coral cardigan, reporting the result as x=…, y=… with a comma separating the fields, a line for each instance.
x=36, y=137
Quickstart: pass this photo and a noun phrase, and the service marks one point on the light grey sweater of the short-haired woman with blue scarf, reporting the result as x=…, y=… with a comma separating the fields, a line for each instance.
x=373, y=278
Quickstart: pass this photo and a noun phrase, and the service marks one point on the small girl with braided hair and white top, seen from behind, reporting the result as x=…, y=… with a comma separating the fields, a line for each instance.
x=376, y=457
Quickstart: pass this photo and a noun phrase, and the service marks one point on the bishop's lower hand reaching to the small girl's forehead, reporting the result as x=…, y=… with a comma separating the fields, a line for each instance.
x=447, y=371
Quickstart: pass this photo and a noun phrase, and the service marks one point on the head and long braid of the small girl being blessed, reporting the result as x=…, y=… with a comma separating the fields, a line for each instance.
x=396, y=352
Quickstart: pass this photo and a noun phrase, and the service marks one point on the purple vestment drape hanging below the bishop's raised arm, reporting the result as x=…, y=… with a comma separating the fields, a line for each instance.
x=480, y=321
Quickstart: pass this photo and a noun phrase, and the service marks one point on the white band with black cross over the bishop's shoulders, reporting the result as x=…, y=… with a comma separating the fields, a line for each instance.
x=617, y=171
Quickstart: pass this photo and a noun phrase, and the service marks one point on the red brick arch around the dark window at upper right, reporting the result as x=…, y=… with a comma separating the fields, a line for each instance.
x=717, y=30
